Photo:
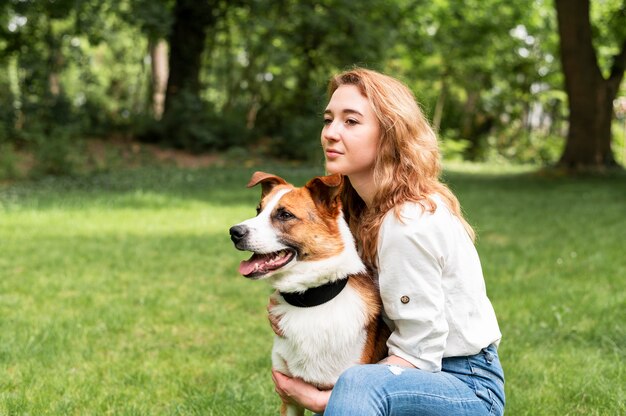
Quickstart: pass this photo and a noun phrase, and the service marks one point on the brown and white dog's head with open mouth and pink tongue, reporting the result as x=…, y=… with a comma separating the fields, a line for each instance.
x=295, y=228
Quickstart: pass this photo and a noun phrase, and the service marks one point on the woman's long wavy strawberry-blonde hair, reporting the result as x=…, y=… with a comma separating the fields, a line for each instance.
x=407, y=165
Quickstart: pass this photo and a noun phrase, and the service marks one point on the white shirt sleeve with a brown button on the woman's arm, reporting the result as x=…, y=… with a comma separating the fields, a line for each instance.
x=411, y=259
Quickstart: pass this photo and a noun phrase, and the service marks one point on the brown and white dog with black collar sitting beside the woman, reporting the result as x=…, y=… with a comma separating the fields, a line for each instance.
x=329, y=306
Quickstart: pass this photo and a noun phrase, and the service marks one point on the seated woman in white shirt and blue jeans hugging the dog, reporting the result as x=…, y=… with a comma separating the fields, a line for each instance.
x=442, y=351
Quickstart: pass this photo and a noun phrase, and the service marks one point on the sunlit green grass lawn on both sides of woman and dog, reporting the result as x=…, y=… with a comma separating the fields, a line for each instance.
x=119, y=292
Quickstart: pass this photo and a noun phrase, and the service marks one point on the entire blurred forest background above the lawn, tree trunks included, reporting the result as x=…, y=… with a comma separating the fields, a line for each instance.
x=525, y=82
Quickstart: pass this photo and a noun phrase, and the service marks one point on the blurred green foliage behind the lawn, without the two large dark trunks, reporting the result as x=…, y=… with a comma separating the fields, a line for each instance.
x=486, y=71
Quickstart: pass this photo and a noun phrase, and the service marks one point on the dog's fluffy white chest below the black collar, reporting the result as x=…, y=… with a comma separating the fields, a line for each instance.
x=322, y=341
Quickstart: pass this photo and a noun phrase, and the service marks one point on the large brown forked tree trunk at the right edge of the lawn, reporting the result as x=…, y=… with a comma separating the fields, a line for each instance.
x=588, y=144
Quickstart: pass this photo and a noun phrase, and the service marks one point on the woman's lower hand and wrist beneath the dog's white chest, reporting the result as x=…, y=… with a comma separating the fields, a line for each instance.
x=296, y=391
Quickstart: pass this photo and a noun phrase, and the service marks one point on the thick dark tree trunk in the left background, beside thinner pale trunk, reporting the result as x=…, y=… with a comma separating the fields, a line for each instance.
x=192, y=18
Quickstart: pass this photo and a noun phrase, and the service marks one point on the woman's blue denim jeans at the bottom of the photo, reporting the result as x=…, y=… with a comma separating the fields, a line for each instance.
x=471, y=385
